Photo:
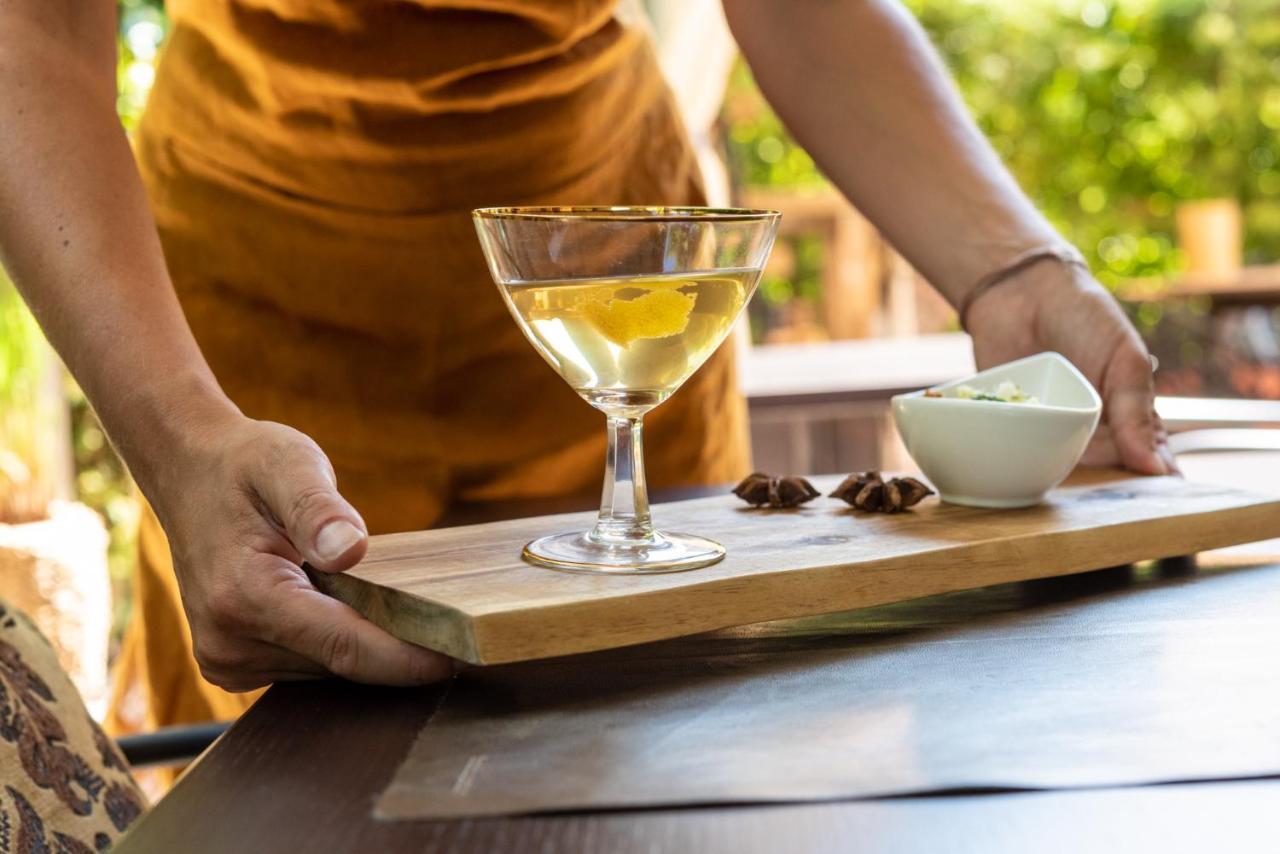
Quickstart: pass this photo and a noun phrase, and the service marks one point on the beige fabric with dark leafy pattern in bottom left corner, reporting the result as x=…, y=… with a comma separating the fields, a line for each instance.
x=65, y=787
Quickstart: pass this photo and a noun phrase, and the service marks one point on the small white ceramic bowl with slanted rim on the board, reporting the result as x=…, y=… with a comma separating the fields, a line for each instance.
x=989, y=454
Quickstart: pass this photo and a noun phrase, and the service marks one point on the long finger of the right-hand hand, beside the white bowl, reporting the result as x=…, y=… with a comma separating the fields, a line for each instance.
x=1130, y=412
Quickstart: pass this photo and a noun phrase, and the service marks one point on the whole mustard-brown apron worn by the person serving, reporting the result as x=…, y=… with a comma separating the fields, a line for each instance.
x=313, y=166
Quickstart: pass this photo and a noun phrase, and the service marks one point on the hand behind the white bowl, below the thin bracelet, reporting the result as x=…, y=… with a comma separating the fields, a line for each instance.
x=1059, y=308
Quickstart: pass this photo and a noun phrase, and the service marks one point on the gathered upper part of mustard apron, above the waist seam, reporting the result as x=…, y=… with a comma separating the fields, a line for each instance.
x=403, y=106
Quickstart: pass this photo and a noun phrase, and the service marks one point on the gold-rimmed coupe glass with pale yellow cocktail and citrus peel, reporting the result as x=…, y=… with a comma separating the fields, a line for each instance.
x=625, y=304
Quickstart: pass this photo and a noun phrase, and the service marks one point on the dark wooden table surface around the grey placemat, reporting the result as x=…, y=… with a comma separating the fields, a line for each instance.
x=301, y=770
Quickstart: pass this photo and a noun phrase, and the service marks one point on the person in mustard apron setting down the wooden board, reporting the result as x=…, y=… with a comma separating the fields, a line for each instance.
x=278, y=308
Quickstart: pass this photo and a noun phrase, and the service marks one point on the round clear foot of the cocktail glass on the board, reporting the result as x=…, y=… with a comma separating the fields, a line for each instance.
x=579, y=552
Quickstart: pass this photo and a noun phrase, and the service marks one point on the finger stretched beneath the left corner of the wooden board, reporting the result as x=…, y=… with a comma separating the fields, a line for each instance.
x=335, y=637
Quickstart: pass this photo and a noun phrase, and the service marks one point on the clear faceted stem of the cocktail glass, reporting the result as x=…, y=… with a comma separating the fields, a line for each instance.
x=625, y=505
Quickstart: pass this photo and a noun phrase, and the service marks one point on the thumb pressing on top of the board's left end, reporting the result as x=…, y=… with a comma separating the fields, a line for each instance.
x=300, y=488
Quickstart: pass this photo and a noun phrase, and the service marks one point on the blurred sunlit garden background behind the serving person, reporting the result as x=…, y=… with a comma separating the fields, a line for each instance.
x=1114, y=116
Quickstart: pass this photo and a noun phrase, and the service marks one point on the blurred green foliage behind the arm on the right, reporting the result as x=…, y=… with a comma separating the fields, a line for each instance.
x=1108, y=112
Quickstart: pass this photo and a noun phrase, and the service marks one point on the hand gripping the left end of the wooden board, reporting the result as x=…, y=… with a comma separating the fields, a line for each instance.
x=244, y=505
